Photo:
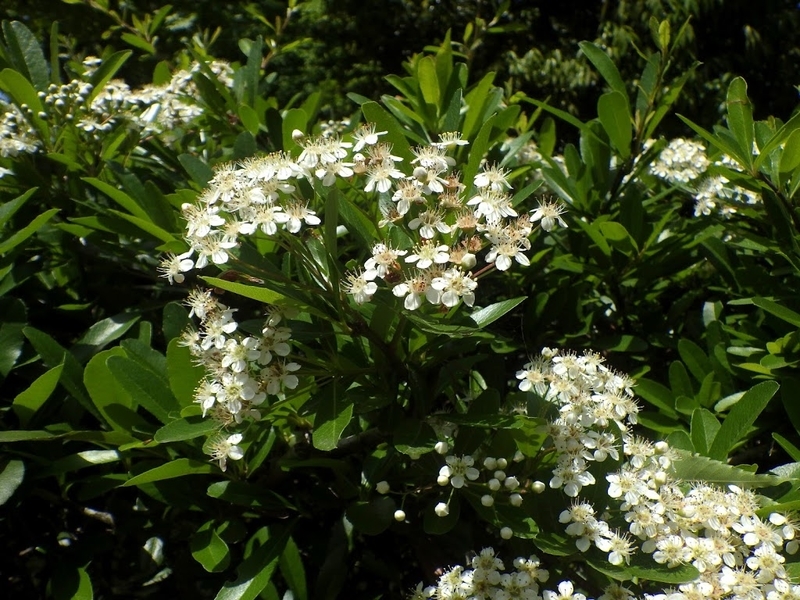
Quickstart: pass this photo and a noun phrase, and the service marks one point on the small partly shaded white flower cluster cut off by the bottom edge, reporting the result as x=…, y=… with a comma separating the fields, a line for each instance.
x=487, y=579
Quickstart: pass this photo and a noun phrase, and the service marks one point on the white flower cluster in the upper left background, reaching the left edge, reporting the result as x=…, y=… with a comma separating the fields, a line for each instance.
x=150, y=109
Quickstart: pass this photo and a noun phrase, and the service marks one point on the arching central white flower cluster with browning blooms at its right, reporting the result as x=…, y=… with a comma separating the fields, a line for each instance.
x=445, y=227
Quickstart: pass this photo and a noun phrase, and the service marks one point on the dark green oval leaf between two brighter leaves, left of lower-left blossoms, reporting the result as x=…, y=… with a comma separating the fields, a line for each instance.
x=145, y=386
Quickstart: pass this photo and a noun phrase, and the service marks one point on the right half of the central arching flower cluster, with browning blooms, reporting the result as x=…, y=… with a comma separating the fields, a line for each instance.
x=448, y=226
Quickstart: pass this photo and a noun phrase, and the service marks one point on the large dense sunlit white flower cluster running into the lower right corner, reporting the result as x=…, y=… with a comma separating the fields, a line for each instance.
x=718, y=531
